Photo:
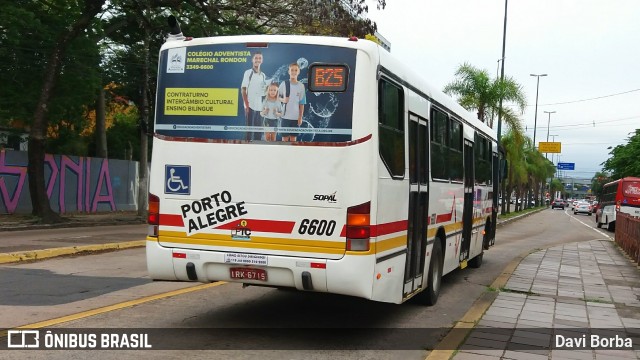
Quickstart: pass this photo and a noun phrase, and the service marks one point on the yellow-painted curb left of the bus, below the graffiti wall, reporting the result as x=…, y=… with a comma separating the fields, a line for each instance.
x=35, y=255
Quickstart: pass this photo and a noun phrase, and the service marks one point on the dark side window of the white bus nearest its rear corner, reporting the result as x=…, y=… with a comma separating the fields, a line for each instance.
x=391, y=127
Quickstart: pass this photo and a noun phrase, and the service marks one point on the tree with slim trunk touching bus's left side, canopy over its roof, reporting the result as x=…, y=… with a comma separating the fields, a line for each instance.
x=207, y=18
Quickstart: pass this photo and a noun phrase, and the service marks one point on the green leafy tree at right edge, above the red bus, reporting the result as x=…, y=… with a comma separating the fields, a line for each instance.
x=624, y=158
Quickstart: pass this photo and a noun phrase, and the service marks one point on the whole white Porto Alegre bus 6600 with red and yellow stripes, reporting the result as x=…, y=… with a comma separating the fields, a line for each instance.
x=383, y=187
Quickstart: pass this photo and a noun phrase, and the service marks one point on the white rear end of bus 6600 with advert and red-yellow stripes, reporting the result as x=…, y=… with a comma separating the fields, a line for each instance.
x=225, y=204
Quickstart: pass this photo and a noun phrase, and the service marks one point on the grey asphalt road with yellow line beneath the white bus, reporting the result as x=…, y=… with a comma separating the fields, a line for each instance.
x=229, y=321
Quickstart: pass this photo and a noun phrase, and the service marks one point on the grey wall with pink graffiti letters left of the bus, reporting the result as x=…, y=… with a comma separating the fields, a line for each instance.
x=74, y=184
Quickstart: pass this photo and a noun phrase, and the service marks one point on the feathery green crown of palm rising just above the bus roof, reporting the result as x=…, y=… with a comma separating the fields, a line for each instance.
x=477, y=91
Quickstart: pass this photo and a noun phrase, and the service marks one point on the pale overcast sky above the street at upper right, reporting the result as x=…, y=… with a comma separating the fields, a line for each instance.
x=590, y=50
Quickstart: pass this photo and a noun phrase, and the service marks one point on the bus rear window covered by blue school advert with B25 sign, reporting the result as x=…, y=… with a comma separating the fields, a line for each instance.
x=231, y=92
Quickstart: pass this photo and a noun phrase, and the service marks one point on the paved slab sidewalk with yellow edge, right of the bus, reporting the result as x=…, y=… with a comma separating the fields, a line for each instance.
x=572, y=301
